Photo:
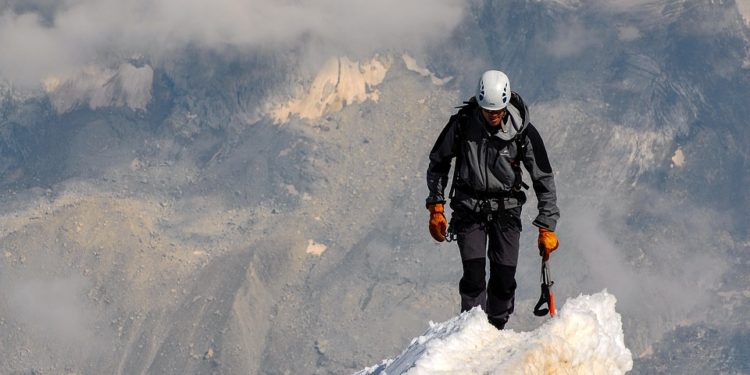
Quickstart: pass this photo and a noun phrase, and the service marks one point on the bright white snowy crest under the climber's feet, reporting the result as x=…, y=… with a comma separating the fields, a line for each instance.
x=584, y=338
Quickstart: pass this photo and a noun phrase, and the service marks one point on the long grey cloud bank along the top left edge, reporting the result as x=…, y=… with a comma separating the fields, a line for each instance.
x=41, y=38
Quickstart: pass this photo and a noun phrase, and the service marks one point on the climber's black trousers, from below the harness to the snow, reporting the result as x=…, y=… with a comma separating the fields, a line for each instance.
x=498, y=241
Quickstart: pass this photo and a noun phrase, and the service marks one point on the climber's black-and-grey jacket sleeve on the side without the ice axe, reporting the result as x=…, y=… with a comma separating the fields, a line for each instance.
x=440, y=161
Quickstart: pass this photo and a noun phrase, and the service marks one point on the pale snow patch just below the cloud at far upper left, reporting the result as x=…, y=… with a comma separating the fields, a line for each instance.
x=96, y=87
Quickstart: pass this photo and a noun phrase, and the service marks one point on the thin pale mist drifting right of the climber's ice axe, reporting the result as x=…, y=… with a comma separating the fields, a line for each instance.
x=664, y=271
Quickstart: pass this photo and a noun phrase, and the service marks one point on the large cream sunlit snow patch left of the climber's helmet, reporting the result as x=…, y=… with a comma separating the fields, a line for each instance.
x=340, y=82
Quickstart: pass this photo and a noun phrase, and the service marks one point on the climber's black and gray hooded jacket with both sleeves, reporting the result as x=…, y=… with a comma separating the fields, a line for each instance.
x=487, y=162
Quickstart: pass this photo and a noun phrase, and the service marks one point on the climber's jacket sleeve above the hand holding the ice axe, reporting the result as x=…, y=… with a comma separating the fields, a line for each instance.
x=543, y=180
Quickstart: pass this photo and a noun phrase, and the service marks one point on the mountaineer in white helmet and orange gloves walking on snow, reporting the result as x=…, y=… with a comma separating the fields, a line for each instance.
x=490, y=137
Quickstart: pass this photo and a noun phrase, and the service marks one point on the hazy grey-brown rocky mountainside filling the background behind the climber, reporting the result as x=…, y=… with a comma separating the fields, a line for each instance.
x=233, y=213
